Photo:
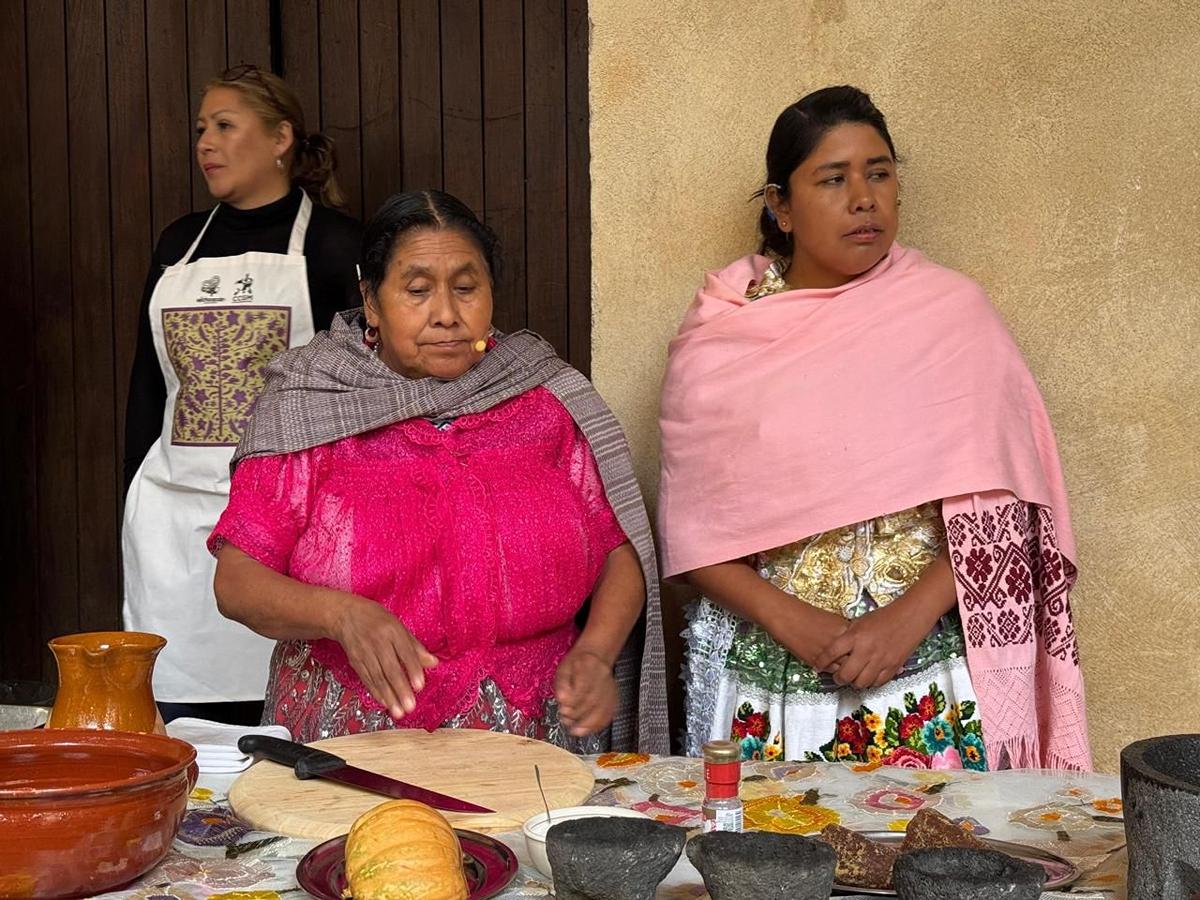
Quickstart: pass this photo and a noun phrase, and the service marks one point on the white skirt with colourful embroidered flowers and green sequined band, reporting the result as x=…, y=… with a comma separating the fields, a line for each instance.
x=746, y=687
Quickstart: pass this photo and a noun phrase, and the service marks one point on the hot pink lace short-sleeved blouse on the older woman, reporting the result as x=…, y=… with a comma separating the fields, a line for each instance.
x=484, y=537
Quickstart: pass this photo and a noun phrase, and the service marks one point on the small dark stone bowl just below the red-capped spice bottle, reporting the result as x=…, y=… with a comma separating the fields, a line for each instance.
x=759, y=866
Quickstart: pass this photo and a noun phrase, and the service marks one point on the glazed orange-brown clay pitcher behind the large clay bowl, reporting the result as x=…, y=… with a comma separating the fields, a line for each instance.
x=105, y=682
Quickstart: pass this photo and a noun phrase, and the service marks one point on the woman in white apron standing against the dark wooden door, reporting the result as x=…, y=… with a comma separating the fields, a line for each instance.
x=227, y=291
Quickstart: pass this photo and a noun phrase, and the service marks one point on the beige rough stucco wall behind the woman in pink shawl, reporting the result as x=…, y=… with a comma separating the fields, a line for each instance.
x=1049, y=151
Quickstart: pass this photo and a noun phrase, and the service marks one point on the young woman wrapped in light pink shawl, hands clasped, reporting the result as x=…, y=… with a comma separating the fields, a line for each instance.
x=860, y=476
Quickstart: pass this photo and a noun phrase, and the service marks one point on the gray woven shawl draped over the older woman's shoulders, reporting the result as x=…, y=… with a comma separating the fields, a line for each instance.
x=334, y=388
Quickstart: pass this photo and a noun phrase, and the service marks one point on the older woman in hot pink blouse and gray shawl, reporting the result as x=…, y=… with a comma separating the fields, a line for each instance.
x=418, y=515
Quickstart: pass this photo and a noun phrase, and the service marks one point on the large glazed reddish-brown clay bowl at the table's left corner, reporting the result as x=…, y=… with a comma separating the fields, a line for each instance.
x=86, y=812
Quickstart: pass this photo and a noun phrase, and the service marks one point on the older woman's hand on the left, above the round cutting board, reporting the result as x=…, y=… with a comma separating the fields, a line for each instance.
x=389, y=661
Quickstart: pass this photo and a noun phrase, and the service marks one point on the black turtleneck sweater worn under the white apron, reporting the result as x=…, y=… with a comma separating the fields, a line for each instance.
x=331, y=249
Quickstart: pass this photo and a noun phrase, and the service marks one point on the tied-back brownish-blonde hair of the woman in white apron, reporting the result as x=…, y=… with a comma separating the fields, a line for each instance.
x=311, y=160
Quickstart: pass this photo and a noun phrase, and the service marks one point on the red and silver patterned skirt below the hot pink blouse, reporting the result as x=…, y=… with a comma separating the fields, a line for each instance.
x=307, y=698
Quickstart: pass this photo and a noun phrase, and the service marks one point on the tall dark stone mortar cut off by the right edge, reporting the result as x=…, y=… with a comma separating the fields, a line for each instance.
x=1161, y=789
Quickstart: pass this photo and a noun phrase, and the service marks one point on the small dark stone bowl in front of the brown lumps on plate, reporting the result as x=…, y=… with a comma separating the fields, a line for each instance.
x=962, y=874
